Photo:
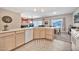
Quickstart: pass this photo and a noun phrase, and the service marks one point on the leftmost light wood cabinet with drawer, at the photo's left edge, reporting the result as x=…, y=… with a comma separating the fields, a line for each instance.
x=7, y=41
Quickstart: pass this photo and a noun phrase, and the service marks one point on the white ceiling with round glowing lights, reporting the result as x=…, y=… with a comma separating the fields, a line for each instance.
x=32, y=12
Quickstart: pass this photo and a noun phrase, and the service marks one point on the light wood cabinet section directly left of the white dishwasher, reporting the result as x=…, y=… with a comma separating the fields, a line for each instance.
x=19, y=38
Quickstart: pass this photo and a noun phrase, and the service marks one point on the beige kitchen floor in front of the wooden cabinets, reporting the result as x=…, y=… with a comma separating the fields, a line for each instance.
x=46, y=45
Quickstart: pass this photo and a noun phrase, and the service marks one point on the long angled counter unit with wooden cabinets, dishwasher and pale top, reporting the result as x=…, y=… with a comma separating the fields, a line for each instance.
x=14, y=38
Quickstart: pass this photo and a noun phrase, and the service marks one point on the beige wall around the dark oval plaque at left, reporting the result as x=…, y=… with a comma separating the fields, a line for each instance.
x=16, y=23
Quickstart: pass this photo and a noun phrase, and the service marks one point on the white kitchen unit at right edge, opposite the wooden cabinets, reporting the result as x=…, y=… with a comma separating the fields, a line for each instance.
x=75, y=39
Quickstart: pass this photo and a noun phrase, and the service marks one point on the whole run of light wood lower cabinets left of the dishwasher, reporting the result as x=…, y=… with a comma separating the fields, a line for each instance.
x=11, y=40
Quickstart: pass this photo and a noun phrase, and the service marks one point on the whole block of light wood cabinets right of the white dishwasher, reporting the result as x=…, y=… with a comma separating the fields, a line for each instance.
x=47, y=33
